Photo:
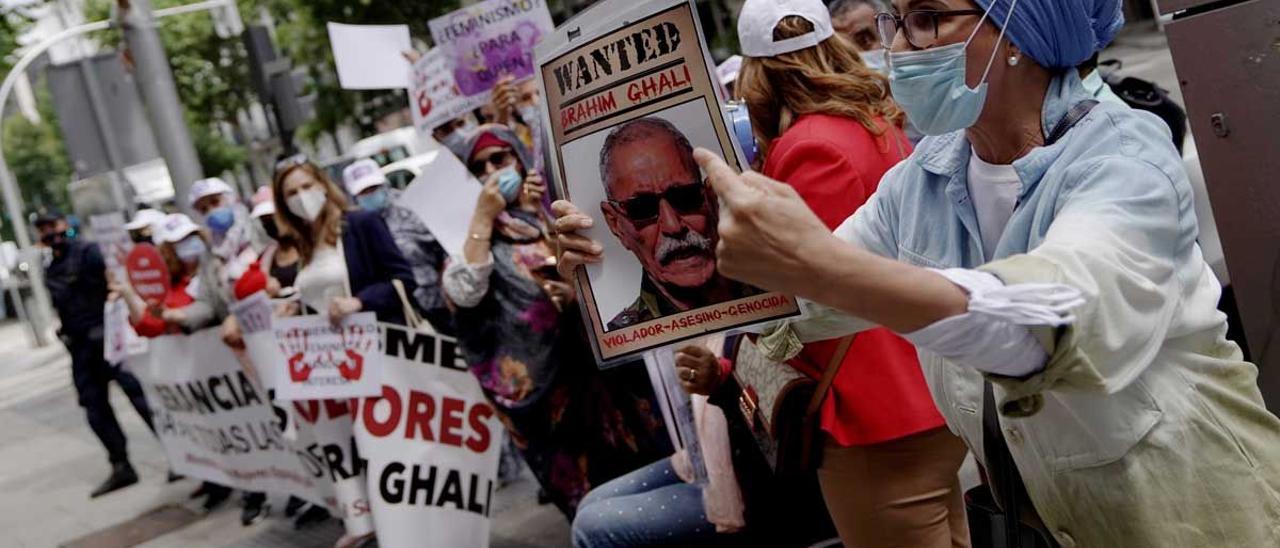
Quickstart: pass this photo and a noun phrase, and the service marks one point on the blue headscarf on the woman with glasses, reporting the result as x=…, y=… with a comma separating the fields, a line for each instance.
x=1059, y=34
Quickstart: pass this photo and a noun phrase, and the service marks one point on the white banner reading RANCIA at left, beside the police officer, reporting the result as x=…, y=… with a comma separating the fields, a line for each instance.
x=217, y=424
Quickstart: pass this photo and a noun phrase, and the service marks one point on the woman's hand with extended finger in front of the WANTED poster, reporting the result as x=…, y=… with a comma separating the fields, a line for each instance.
x=769, y=236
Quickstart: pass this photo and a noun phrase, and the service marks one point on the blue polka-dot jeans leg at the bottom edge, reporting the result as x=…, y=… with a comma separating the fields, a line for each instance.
x=650, y=508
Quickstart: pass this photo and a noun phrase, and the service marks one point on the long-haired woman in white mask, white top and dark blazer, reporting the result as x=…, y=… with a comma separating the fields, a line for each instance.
x=350, y=259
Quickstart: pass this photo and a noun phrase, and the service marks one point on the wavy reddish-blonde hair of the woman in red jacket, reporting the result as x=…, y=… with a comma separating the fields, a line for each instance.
x=829, y=79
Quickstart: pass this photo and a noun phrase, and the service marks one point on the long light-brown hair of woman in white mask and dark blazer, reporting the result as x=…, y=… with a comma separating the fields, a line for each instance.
x=309, y=236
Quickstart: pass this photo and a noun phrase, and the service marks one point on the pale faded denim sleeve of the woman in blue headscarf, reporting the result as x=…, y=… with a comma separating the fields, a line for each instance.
x=1116, y=239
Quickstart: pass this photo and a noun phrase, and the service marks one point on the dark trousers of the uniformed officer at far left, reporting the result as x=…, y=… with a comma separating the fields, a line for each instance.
x=93, y=377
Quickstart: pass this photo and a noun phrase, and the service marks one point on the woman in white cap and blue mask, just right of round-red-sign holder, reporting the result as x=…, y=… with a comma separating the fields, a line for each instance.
x=231, y=235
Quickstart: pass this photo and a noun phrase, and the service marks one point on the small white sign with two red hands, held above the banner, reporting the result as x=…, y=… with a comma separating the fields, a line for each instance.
x=324, y=362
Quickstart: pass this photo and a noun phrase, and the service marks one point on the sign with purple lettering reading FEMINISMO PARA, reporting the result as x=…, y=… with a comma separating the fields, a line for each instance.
x=487, y=42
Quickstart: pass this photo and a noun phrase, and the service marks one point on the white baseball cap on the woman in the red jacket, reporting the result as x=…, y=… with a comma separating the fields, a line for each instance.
x=758, y=20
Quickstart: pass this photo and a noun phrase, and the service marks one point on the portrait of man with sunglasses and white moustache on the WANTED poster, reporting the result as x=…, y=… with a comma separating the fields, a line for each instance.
x=661, y=211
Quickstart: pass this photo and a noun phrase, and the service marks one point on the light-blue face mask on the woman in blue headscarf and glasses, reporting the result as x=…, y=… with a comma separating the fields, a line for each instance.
x=930, y=85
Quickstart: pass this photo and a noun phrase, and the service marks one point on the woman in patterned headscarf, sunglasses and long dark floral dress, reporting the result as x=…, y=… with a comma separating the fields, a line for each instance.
x=520, y=334
